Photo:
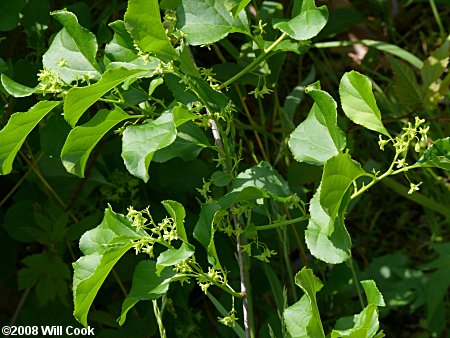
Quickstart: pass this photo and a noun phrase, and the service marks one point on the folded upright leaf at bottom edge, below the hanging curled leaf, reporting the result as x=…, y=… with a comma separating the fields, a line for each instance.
x=303, y=319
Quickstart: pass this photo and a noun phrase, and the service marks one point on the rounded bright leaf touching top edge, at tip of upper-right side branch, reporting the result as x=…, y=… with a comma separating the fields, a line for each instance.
x=307, y=24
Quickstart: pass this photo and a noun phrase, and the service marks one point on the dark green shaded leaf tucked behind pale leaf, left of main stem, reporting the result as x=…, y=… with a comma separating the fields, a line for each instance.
x=190, y=141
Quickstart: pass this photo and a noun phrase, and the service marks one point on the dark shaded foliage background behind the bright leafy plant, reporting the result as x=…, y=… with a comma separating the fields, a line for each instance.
x=399, y=240
